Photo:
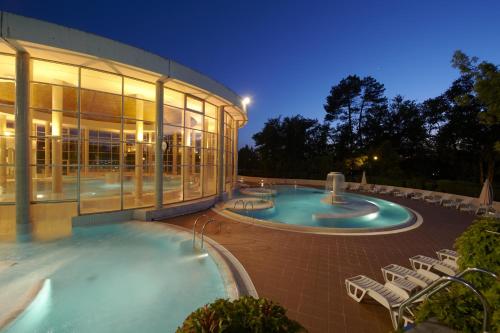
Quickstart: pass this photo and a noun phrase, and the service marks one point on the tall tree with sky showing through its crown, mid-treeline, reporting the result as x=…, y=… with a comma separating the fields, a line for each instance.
x=350, y=100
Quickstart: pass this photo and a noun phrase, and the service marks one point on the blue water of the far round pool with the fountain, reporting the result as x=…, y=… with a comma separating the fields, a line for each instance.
x=302, y=205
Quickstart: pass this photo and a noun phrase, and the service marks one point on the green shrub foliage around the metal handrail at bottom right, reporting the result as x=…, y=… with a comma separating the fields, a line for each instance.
x=459, y=309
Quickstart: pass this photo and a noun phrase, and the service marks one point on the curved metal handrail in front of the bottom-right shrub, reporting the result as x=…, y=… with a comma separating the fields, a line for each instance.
x=437, y=283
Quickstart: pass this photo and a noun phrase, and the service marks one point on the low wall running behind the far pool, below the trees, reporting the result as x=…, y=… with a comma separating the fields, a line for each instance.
x=315, y=182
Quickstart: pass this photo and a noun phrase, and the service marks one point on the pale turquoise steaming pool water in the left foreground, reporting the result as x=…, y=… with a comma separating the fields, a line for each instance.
x=131, y=277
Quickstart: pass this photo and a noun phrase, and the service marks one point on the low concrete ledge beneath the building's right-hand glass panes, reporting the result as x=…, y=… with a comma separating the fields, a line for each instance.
x=151, y=214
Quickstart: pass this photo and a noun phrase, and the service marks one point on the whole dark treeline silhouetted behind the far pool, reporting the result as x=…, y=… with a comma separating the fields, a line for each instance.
x=452, y=137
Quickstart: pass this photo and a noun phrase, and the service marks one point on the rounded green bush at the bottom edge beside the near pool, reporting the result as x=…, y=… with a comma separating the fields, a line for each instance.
x=246, y=314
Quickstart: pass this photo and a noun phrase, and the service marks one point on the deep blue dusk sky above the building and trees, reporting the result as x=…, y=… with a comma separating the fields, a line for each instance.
x=286, y=55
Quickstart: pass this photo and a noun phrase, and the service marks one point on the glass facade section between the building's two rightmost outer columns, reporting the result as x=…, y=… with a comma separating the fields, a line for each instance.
x=190, y=154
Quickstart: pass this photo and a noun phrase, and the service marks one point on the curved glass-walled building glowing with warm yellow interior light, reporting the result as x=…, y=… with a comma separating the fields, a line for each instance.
x=89, y=125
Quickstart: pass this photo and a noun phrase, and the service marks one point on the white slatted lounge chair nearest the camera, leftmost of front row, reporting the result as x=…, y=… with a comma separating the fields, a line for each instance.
x=388, y=295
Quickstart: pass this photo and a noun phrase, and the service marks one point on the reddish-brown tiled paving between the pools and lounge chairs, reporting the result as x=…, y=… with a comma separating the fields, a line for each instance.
x=306, y=272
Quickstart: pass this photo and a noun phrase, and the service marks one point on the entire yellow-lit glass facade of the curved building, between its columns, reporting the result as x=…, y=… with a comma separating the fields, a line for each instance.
x=93, y=137
